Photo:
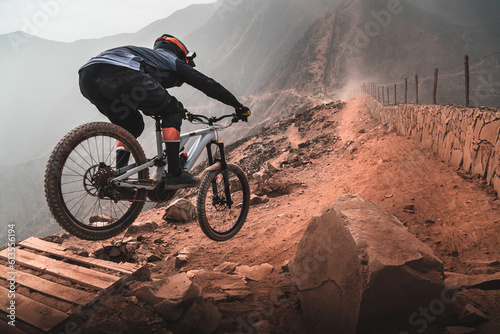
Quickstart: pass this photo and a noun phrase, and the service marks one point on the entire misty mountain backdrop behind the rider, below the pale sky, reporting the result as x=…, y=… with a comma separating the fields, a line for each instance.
x=278, y=57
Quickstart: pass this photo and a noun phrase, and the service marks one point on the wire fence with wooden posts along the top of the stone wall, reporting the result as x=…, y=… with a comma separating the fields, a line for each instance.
x=474, y=82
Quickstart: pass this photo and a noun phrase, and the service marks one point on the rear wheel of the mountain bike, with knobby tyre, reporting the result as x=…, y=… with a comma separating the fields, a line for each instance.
x=77, y=187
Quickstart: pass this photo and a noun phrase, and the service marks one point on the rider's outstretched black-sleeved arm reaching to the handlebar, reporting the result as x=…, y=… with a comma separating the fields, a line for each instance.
x=205, y=84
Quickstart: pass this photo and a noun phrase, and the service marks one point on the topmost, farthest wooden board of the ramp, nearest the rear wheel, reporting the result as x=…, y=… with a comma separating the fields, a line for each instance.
x=58, y=250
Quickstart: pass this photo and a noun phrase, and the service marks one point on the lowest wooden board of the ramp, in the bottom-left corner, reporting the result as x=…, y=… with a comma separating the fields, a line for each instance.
x=37, y=314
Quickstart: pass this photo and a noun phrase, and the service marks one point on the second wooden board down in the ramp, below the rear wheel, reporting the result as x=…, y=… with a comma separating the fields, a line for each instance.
x=80, y=275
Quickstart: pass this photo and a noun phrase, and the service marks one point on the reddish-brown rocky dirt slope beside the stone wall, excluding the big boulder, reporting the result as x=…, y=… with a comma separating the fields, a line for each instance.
x=300, y=165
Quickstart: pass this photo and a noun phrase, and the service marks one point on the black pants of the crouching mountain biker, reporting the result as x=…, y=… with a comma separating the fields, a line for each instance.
x=119, y=93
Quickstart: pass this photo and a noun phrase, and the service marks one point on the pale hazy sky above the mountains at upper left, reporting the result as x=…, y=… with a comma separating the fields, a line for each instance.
x=69, y=20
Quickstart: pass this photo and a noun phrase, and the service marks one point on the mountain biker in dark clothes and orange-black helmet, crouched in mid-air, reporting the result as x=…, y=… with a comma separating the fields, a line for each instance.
x=124, y=80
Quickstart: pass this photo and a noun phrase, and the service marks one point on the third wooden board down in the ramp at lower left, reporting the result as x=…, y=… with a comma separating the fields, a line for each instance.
x=36, y=283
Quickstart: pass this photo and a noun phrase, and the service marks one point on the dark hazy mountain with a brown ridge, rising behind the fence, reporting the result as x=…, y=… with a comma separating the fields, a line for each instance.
x=369, y=42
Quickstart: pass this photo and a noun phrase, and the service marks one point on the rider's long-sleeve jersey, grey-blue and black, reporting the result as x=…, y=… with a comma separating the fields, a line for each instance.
x=164, y=66
